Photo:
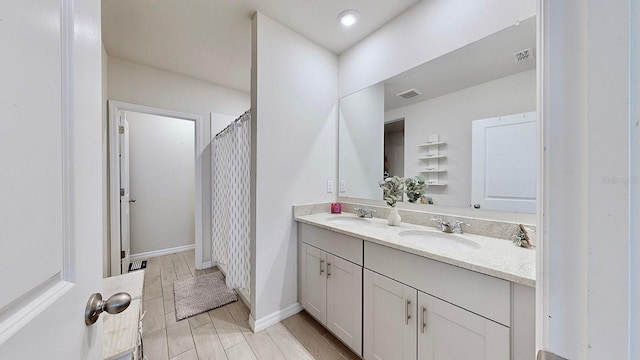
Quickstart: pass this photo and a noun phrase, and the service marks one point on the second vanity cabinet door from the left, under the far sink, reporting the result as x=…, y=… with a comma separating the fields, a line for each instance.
x=344, y=301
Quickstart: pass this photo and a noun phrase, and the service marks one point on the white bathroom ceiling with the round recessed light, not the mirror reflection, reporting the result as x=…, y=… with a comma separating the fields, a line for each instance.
x=211, y=39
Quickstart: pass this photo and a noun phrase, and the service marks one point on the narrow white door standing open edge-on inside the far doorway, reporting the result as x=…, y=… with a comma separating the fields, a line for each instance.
x=125, y=193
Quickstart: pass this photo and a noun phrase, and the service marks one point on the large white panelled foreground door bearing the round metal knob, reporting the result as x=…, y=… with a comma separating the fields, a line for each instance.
x=51, y=189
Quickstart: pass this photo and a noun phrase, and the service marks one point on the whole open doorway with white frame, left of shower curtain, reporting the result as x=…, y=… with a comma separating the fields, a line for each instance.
x=155, y=183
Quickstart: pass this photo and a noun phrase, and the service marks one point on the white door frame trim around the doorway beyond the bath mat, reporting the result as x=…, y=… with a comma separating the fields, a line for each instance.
x=114, y=176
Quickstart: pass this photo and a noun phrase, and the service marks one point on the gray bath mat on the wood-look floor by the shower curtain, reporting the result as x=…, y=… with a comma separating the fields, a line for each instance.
x=201, y=293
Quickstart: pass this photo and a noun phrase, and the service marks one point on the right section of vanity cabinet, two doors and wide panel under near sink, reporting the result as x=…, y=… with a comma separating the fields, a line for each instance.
x=413, y=322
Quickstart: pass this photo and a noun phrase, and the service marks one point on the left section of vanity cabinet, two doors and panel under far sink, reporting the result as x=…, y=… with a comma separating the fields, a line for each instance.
x=331, y=283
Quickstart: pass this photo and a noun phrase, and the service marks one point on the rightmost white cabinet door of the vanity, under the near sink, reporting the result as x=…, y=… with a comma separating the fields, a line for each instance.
x=447, y=332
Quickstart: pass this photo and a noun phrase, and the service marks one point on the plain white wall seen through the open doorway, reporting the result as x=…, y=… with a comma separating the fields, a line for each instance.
x=161, y=163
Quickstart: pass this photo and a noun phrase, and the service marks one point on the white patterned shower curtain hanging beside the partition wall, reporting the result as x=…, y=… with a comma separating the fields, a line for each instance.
x=230, y=218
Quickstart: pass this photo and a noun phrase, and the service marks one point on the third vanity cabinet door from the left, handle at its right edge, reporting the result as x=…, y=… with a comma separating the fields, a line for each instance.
x=389, y=319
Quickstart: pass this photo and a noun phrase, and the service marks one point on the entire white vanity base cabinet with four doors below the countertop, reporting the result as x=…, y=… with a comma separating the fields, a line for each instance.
x=386, y=303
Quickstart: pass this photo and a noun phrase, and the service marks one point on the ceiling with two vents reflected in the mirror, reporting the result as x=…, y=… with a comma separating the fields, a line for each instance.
x=487, y=59
